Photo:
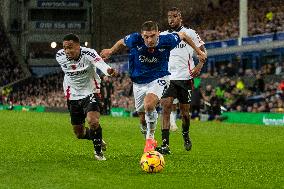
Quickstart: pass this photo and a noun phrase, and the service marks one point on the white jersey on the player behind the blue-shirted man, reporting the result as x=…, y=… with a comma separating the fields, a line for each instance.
x=181, y=61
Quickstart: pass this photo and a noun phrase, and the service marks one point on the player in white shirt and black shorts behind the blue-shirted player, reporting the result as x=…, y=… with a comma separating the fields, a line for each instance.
x=183, y=70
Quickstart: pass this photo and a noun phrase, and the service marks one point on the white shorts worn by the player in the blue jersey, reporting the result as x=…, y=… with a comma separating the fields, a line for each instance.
x=157, y=87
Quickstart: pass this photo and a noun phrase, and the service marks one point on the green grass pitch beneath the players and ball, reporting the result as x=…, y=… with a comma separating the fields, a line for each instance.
x=39, y=150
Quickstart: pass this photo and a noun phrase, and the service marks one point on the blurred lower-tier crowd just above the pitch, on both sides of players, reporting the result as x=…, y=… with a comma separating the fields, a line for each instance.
x=231, y=93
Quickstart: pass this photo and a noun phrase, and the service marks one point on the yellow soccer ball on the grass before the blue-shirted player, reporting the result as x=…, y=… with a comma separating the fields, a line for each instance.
x=152, y=162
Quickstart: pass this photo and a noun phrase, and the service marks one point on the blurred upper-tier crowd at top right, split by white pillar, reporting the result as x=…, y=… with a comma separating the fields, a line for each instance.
x=221, y=21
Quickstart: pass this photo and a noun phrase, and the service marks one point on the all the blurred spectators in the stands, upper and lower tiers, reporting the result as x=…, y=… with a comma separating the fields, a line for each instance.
x=230, y=92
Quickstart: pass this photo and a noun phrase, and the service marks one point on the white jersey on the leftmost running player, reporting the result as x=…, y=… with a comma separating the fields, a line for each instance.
x=80, y=75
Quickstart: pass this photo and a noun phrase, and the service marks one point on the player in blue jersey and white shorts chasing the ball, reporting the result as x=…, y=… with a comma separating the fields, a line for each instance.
x=148, y=70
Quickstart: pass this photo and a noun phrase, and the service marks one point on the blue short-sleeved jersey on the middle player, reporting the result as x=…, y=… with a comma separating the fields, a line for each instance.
x=147, y=64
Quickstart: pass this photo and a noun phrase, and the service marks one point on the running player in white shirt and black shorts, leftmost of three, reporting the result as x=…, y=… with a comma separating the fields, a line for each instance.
x=78, y=64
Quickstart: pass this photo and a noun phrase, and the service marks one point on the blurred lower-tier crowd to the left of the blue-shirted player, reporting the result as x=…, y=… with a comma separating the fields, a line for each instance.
x=48, y=91
